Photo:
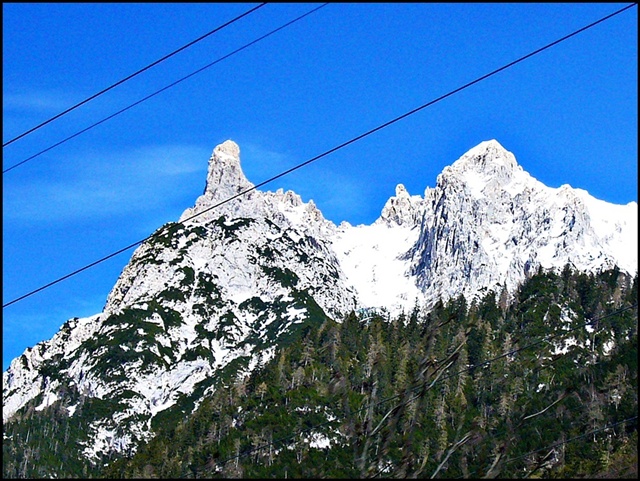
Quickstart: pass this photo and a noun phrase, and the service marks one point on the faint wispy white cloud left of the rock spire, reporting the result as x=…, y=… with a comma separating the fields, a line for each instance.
x=107, y=184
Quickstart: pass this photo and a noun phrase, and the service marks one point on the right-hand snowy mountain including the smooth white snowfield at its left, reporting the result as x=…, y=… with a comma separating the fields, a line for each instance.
x=487, y=224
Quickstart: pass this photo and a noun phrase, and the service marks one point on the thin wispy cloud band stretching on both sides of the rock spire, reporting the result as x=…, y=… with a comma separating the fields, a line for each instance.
x=101, y=185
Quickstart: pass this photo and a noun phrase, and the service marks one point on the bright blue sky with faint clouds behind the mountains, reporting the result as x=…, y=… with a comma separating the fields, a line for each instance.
x=568, y=114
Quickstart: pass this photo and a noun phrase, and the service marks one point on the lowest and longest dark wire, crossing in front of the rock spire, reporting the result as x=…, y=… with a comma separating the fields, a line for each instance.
x=330, y=151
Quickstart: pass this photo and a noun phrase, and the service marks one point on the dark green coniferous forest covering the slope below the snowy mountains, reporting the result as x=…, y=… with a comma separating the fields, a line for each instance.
x=541, y=384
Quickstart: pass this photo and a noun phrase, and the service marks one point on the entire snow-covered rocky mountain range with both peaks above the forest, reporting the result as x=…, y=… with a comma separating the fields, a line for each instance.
x=218, y=291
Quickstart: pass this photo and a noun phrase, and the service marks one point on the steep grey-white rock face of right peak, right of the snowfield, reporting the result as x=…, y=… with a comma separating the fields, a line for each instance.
x=490, y=224
